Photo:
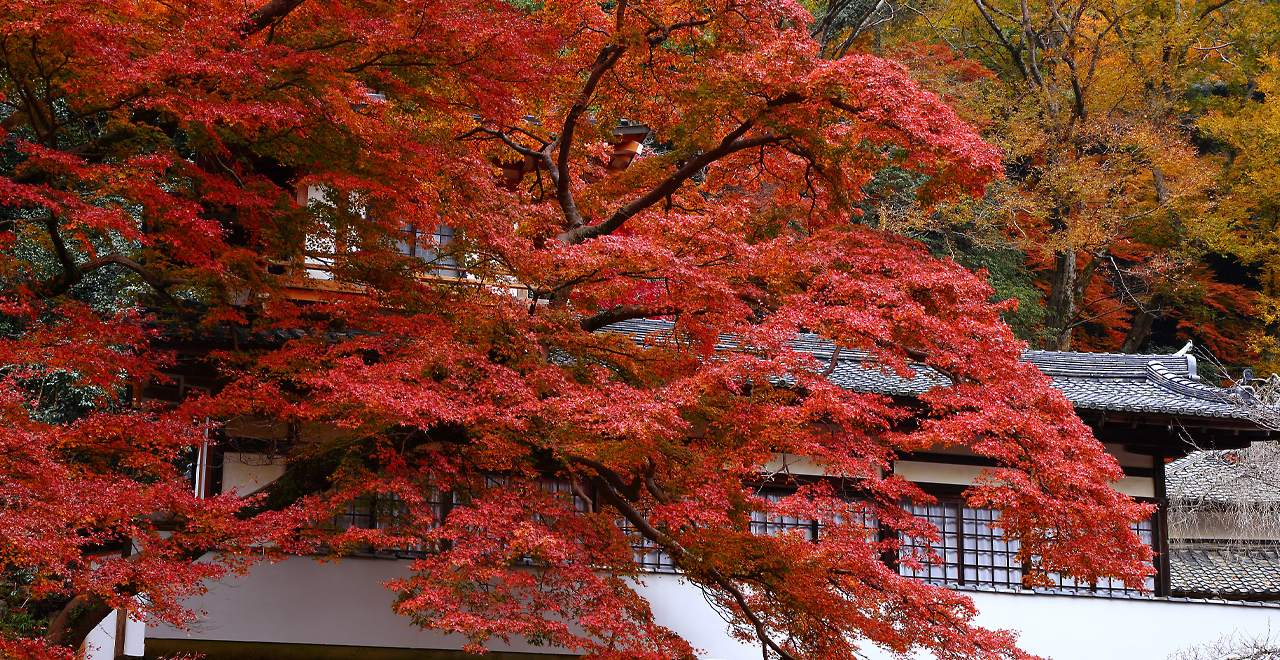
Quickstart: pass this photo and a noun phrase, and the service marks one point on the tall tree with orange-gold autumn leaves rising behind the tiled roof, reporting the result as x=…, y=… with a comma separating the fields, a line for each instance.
x=1114, y=191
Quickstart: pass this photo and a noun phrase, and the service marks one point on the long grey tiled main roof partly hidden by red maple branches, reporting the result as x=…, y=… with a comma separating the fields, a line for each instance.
x=1099, y=382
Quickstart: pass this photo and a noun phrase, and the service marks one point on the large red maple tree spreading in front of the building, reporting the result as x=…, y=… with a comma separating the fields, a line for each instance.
x=175, y=171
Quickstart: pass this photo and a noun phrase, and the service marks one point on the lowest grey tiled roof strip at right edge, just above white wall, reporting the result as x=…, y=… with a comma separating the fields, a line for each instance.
x=1231, y=572
